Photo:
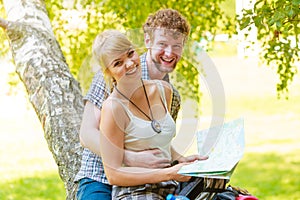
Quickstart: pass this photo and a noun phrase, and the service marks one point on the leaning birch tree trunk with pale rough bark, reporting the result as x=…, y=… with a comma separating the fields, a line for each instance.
x=52, y=90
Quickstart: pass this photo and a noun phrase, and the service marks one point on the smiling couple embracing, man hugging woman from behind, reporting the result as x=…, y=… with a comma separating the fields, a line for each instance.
x=137, y=113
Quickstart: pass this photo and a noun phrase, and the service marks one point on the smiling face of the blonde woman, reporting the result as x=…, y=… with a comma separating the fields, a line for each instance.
x=125, y=65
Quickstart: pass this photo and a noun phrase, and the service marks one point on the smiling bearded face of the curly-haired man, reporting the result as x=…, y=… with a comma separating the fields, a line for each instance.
x=166, y=49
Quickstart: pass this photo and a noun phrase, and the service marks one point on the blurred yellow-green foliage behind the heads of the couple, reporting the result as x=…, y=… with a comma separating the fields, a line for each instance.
x=76, y=25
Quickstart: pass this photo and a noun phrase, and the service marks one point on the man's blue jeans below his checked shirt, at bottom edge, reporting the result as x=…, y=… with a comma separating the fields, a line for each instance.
x=89, y=189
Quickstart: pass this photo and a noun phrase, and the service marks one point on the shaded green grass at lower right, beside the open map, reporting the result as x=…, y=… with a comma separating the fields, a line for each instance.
x=269, y=176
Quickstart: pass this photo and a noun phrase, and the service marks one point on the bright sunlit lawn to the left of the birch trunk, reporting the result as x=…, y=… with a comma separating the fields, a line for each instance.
x=27, y=169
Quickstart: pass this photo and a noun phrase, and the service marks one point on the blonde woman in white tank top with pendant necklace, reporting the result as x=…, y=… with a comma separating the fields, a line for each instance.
x=136, y=116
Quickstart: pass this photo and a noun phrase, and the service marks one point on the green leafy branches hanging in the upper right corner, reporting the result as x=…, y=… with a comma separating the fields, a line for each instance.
x=278, y=28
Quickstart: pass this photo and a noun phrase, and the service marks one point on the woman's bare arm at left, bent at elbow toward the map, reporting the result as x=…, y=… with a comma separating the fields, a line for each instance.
x=112, y=152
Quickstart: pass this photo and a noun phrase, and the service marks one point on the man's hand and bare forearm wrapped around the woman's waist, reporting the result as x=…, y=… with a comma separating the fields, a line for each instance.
x=147, y=159
